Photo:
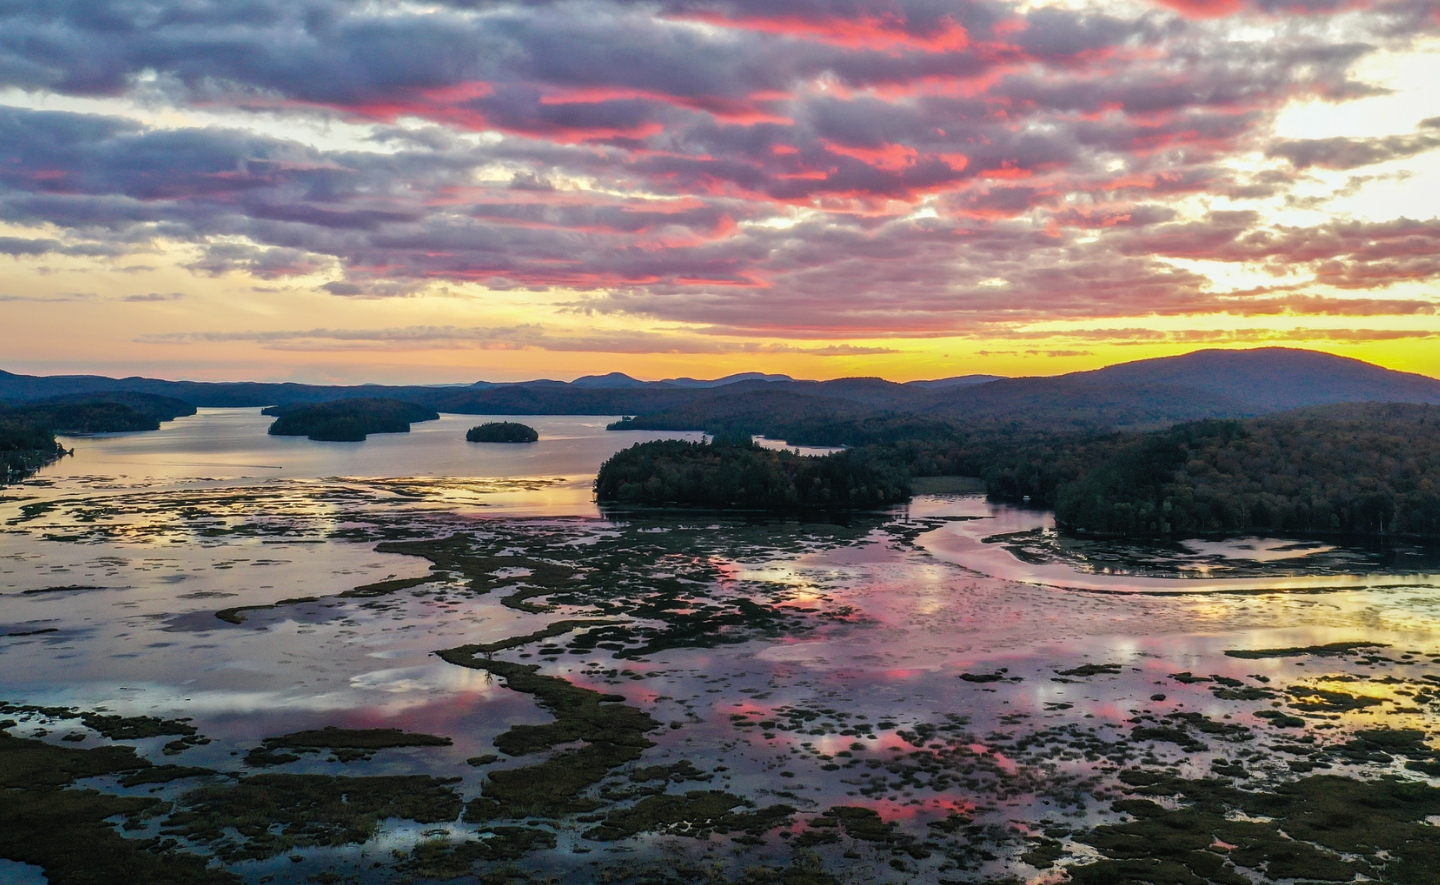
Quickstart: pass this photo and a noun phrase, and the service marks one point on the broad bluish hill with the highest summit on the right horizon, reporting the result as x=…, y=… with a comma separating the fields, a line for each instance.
x=1134, y=396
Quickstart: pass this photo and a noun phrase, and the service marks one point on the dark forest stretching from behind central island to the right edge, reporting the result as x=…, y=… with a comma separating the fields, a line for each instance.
x=1362, y=468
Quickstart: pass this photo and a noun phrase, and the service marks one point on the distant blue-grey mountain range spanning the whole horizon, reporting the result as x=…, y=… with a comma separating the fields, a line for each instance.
x=1212, y=383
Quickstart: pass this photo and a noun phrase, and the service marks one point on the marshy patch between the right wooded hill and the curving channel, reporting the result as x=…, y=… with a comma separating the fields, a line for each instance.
x=1239, y=559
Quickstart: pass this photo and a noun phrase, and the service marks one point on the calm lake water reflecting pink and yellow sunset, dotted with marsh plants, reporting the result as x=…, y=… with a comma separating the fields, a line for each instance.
x=954, y=667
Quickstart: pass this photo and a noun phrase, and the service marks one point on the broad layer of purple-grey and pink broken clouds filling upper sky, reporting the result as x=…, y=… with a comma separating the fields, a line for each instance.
x=781, y=169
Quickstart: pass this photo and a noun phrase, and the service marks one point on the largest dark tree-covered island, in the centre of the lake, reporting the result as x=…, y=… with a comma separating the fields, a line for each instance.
x=739, y=474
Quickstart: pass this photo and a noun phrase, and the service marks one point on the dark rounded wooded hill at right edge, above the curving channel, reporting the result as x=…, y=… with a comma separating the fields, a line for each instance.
x=1366, y=468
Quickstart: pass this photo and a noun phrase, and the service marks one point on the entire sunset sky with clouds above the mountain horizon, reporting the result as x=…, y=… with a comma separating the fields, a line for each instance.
x=329, y=191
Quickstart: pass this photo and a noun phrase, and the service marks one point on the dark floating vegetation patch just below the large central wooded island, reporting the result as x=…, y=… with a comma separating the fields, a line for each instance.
x=644, y=588
